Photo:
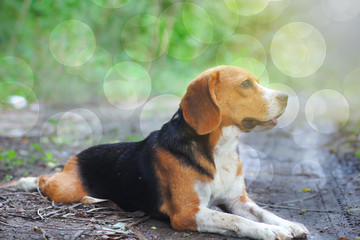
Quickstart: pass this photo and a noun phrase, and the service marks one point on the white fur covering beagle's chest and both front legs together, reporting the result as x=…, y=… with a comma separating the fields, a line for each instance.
x=227, y=188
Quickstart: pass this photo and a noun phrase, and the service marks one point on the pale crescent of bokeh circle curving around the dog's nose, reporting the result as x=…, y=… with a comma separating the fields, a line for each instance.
x=293, y=105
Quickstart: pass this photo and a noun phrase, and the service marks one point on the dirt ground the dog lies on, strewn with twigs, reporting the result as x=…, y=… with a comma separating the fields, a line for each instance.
x=314, y=181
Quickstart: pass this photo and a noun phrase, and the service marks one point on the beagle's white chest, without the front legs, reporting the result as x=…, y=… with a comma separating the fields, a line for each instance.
x=227, y=182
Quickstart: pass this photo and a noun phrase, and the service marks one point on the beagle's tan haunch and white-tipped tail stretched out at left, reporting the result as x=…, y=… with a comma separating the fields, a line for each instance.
x=65, y=186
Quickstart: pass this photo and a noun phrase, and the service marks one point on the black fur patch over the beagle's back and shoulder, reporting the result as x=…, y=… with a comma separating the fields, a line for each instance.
x=124, y=172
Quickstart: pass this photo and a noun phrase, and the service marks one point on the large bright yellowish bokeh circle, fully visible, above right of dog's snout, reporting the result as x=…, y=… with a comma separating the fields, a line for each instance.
x=298, y=49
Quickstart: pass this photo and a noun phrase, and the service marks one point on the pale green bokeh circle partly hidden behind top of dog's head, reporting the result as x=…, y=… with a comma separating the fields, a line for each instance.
x=241, y=46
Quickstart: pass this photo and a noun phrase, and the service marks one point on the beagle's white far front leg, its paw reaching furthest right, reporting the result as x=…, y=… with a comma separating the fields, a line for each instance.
x=250, y=210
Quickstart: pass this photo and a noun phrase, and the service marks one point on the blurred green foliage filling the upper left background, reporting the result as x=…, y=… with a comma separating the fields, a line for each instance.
x=173, y=42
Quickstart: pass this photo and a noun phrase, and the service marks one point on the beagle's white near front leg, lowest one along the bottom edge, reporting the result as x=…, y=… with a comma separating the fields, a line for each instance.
x=209, y=220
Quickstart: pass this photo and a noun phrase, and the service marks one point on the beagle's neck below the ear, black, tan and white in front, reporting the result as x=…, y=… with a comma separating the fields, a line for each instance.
x=178, y=137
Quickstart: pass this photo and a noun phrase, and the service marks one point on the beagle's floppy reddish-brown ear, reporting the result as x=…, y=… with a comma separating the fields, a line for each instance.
x=199, y=104
